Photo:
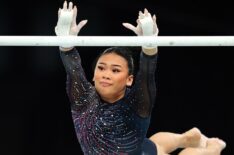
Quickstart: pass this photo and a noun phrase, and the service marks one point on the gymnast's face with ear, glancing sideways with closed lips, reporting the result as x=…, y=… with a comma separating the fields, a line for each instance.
x=111, y=77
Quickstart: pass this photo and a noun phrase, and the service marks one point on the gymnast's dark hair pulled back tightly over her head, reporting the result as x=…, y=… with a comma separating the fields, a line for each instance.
x=121, y=51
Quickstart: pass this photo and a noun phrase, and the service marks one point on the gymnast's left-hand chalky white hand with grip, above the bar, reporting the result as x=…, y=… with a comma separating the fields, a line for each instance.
x=66, y=24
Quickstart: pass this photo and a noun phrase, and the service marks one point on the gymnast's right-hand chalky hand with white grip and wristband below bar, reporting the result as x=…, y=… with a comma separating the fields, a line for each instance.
x=146, y=26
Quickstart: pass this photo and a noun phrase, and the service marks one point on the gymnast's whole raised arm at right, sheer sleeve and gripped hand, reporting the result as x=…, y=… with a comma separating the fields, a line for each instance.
x=144, y=90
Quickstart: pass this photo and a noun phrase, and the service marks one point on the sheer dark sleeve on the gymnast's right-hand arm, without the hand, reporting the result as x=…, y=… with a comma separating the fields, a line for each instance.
x=144, y=90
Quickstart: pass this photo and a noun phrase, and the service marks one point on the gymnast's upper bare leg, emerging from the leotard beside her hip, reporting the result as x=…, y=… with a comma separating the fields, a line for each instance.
x=167, y=142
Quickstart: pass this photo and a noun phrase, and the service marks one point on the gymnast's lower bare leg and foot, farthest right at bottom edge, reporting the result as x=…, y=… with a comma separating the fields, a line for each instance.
x=214, y=147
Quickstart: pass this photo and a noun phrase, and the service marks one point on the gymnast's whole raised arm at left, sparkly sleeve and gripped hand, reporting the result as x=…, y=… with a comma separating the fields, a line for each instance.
x=78, y=88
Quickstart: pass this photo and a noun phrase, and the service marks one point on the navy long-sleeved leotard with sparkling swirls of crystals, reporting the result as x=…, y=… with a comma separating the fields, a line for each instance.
x=117, y=128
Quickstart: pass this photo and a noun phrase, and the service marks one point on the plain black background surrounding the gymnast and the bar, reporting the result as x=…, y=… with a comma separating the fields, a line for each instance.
x=195, y=84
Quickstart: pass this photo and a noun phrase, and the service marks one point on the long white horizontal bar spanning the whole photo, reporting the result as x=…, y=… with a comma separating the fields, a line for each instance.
x=116, y=41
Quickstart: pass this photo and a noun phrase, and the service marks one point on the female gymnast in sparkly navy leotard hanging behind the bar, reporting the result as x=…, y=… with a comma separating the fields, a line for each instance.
x=113, y=116
